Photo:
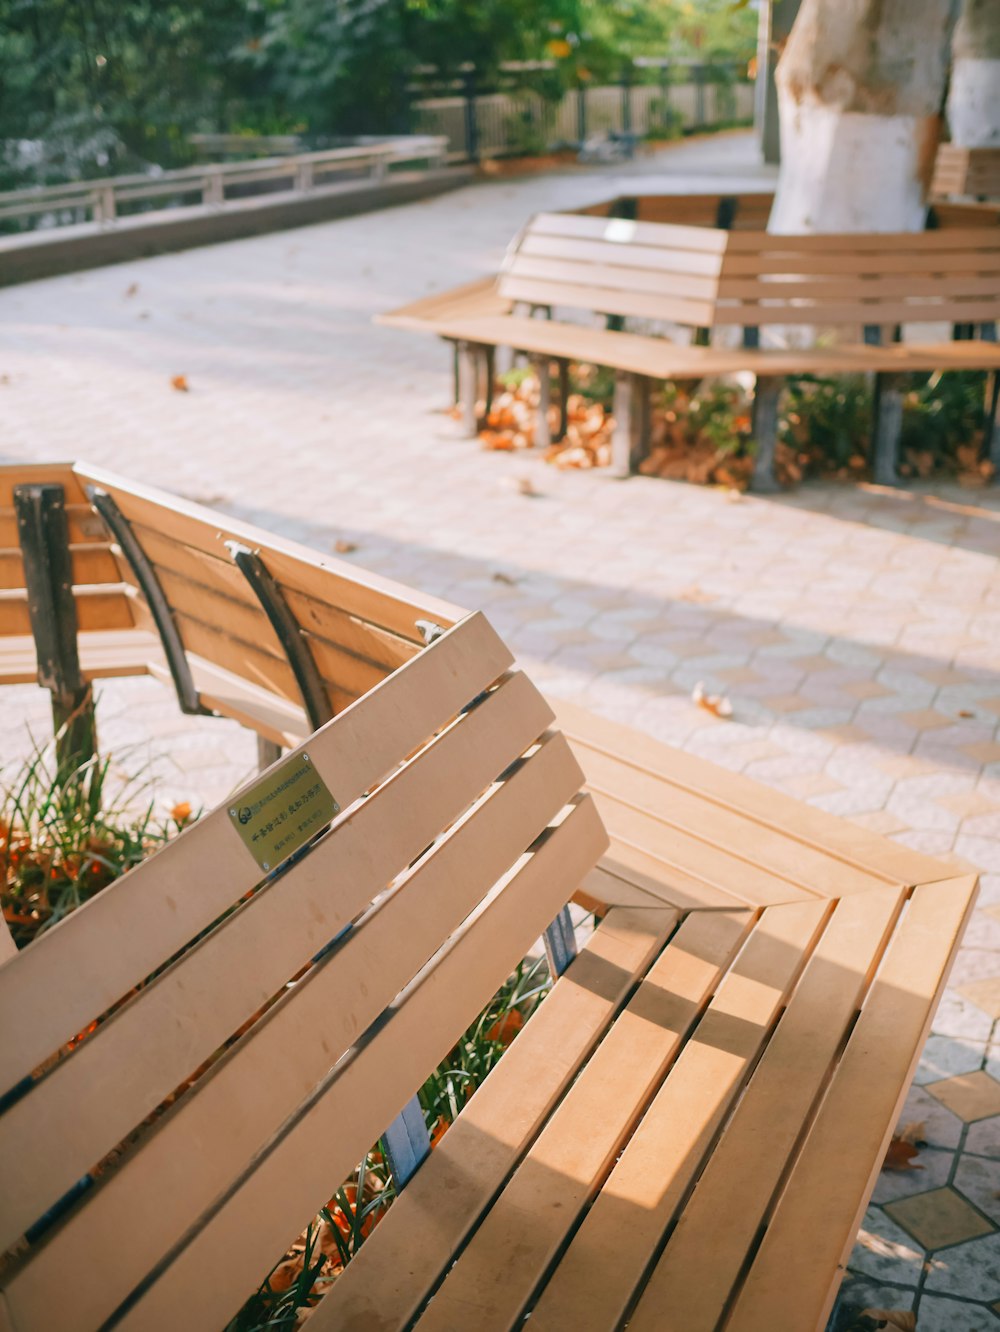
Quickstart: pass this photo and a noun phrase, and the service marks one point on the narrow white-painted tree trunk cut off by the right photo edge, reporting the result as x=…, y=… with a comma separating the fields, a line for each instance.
x=974, y=101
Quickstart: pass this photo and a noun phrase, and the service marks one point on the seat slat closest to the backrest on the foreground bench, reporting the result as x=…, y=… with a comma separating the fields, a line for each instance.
x=388, y=1281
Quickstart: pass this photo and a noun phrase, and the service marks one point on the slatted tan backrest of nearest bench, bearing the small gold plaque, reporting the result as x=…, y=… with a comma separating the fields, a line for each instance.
x=211, y=1048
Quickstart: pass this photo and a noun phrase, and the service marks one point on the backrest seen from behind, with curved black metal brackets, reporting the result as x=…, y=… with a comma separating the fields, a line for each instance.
x=342, y=633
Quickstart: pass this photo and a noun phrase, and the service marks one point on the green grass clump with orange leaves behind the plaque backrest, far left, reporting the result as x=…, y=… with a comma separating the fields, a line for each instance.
x=65, y=836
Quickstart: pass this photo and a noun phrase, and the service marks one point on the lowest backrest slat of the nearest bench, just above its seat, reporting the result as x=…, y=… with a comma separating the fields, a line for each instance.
x=250, y=1226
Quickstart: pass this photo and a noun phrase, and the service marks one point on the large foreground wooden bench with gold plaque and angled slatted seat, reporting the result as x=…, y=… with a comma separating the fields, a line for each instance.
x=757, y=996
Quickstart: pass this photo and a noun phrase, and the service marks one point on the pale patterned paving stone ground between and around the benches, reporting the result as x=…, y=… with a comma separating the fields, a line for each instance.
x=857, y=632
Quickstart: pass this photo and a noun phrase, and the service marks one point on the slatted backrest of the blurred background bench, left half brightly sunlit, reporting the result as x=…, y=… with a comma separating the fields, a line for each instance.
x=706, y=278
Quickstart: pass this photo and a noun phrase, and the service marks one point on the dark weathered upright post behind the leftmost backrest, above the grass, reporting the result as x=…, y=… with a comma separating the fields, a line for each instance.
x=43, y=535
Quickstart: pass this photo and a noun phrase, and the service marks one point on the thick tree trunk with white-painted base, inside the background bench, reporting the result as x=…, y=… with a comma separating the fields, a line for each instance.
x=861, y=87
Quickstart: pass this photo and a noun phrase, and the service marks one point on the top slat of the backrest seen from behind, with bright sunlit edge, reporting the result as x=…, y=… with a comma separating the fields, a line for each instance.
x=356, y=592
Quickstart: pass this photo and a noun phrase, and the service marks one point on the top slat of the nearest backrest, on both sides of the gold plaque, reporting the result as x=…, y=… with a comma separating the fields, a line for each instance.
x=94, y=957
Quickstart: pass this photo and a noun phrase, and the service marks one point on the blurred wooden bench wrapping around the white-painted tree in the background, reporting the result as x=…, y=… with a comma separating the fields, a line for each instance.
x=694, y=286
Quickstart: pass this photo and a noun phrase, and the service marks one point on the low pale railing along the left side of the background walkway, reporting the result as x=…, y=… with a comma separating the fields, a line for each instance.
x=207, y=186
